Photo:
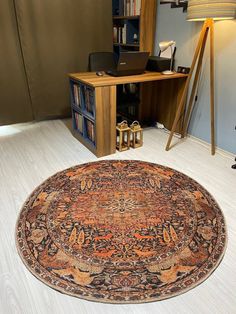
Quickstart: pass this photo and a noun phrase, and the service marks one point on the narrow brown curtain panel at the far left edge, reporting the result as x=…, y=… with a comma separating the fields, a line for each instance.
x=15, y=104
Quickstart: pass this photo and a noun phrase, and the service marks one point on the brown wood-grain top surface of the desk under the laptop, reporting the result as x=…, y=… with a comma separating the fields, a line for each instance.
x=90, y=78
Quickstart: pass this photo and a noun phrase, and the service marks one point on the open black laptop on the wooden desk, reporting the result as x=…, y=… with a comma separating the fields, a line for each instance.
x=130, y=63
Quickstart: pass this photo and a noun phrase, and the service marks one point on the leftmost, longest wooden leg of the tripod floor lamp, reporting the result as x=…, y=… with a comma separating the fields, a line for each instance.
x=183, y=98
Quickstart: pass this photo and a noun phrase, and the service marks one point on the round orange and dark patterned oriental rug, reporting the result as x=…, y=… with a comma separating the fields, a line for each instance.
x=121, y=232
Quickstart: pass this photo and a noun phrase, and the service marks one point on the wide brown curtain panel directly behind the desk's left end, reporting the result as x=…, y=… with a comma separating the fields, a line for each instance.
x=56, y=37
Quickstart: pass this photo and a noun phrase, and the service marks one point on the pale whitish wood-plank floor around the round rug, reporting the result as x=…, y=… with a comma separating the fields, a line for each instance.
x=30, y=153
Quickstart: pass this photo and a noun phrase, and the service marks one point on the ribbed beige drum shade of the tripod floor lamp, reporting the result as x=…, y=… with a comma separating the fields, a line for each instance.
x=200, y=10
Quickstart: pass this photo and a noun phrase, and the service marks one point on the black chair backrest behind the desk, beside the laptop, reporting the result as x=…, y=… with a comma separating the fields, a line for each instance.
x=102, y=61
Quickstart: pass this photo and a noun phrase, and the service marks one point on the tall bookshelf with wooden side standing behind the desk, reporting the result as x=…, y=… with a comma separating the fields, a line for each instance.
x=134, y=24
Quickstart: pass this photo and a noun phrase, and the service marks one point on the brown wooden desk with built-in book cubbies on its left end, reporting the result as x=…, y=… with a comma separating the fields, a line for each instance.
x=161, y=94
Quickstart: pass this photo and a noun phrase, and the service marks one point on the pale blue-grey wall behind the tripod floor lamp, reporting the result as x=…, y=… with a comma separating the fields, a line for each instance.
x=172, y=25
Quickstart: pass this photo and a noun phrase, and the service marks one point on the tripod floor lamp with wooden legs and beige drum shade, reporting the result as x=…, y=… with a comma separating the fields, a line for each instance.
x=208, y=11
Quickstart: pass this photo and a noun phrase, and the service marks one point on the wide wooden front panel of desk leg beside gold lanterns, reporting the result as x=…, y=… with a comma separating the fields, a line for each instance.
x=105, y=98
